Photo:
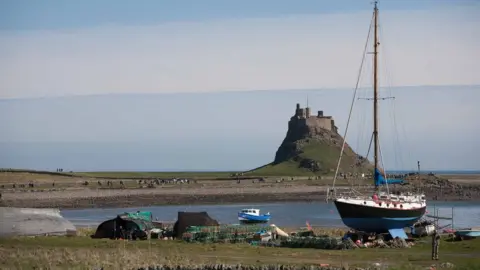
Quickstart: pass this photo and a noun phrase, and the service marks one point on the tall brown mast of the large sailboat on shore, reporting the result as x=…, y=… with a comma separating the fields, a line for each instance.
x=375, y=87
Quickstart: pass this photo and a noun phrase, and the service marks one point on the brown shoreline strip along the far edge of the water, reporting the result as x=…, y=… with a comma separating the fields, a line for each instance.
x=134, y=199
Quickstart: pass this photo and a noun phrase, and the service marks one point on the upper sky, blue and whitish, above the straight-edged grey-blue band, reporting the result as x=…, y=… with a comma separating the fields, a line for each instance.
x=96, y=47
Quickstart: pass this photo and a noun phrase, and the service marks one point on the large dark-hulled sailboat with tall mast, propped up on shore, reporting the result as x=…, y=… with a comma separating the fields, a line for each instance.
x=380, y=212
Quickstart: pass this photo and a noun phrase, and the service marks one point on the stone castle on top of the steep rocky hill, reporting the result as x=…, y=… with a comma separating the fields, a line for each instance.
x=302, y=118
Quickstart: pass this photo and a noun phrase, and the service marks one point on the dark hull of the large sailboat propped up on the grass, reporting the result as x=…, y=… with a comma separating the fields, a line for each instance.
x=375, y=219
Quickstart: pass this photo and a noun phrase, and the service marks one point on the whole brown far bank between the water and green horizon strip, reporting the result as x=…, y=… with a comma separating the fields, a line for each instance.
x=35, y=190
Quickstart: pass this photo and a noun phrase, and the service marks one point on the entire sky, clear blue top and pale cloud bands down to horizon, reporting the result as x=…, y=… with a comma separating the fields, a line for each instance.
x=149, y=70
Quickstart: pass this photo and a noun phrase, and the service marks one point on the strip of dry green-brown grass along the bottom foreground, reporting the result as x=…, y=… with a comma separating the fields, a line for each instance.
x=83, y=253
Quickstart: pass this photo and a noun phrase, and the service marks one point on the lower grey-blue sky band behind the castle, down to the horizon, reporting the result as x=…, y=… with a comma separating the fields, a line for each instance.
x=232, y=130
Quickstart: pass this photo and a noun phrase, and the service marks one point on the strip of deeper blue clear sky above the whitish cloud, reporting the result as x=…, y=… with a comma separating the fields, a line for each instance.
x=58, y=14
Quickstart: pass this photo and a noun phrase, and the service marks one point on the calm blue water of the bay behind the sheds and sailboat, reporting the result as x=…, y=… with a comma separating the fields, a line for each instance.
x=466, y=214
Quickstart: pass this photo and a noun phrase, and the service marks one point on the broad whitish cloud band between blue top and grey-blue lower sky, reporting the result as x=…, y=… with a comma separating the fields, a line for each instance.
x=427, y=47
